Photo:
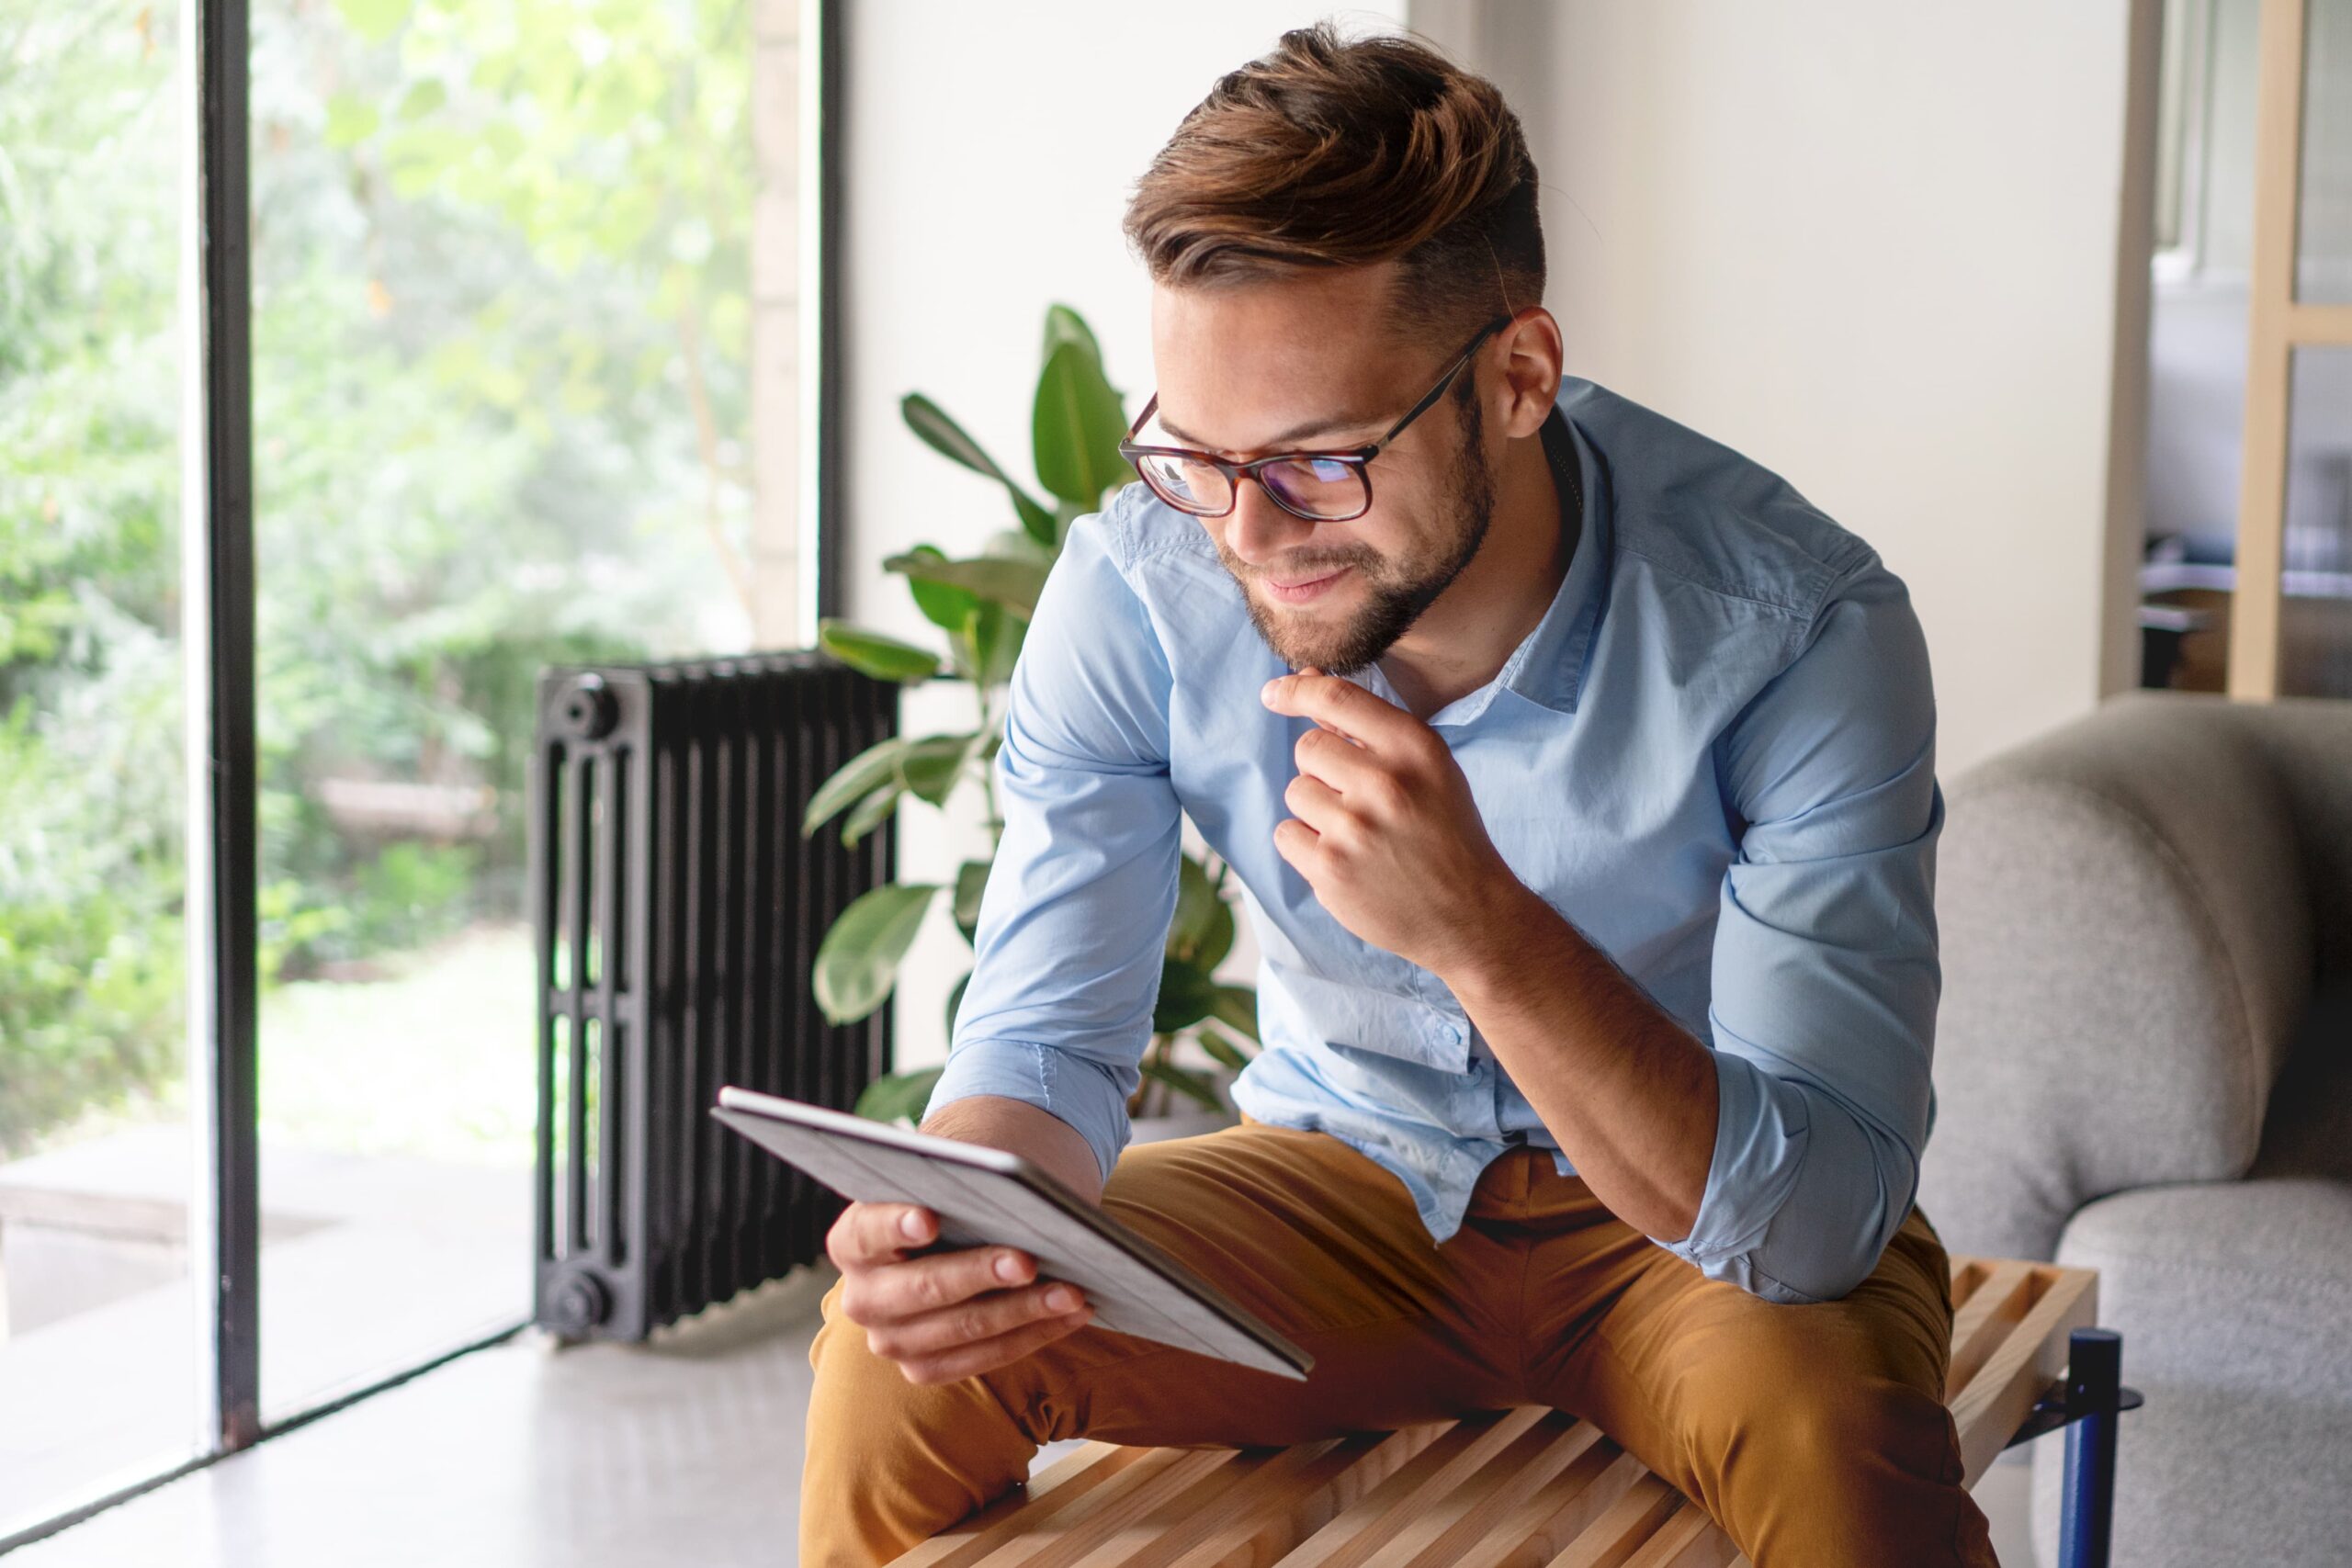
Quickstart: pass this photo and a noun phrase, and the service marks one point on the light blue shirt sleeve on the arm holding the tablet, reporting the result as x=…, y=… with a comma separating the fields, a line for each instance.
x=1076, y=913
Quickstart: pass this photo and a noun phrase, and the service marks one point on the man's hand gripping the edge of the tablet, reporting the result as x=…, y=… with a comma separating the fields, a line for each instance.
x=944, y=1315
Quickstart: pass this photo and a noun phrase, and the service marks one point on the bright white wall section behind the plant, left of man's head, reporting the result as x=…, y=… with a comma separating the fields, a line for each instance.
x=991, y=154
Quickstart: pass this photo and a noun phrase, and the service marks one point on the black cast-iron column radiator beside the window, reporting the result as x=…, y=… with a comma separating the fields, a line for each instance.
x=676, y=913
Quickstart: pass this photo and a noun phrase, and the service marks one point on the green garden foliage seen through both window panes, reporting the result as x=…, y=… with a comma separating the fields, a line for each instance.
x=502, y=370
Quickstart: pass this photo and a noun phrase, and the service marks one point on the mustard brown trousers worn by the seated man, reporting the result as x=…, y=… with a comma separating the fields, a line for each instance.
x=1817, y=1435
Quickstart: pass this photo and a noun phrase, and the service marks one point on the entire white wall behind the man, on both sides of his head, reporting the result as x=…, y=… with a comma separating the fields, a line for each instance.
x=1871, y=246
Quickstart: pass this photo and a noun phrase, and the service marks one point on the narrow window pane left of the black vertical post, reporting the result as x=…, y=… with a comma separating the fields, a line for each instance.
x=98, y=1322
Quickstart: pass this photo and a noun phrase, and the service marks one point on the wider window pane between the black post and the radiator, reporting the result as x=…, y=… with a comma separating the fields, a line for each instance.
x=505, y=274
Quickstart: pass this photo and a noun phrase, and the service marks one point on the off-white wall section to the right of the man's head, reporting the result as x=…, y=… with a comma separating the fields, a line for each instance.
x=1878, y=250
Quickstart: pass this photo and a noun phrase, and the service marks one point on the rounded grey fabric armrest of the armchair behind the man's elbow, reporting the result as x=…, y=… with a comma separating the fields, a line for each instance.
x=2127, y=946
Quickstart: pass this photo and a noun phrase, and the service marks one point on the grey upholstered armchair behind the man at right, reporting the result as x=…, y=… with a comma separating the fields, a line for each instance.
x=2144, y=1064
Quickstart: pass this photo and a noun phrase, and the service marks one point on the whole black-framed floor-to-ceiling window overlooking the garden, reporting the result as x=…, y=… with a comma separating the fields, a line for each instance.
x=516, y=361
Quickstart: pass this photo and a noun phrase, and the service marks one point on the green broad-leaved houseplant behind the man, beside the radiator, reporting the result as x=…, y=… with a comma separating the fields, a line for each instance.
x=984, y=603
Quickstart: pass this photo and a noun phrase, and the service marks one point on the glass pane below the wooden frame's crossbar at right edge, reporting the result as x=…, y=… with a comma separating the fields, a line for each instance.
x=2316, y=615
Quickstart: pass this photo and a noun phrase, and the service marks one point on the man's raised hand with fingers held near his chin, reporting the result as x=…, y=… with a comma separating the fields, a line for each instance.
x=1387, y=831
